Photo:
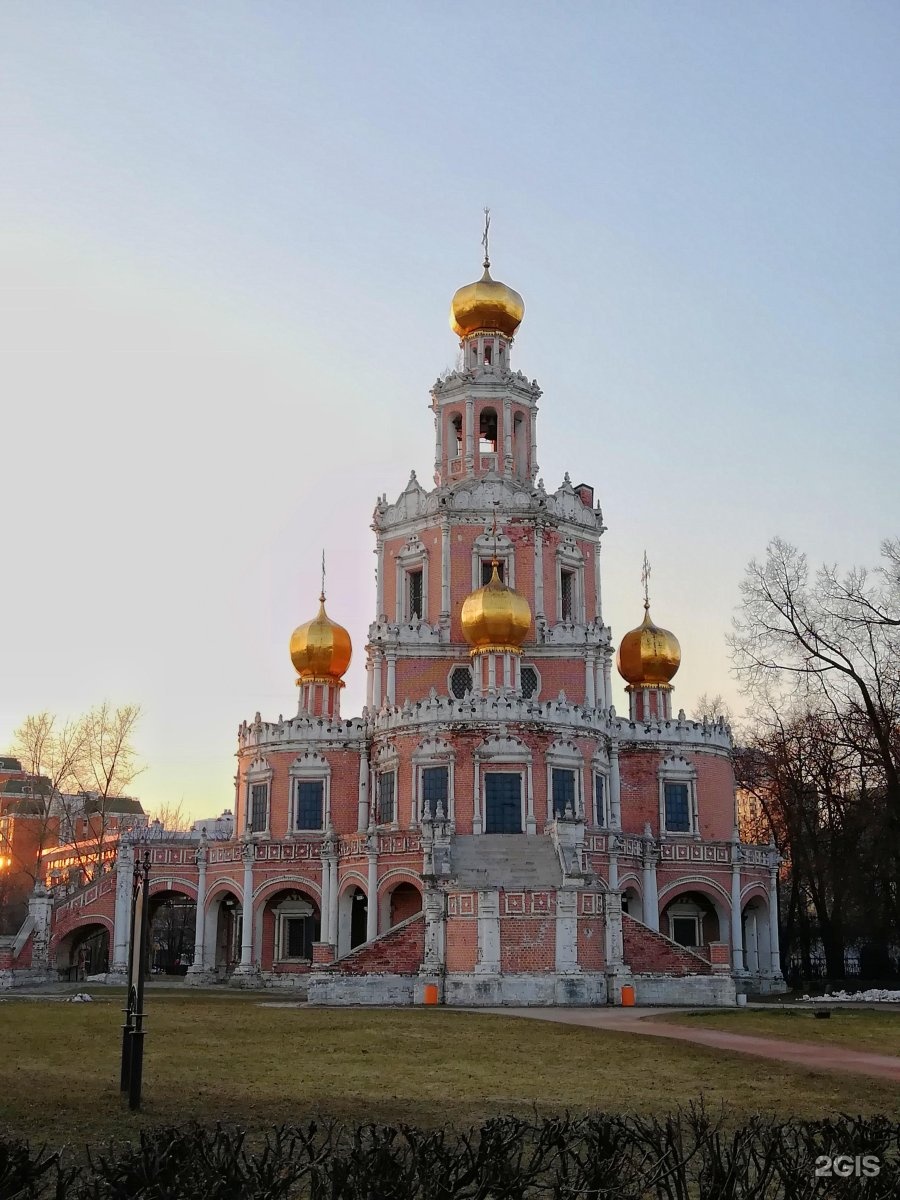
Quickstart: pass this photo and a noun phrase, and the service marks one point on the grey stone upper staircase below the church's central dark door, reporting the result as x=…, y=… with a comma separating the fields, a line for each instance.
x=513, y=862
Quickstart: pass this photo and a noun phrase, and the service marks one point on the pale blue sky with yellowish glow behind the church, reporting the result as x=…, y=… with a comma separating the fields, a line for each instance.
x=229, y=239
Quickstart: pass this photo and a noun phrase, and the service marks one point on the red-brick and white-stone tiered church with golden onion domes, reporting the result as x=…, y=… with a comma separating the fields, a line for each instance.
x=489, y=831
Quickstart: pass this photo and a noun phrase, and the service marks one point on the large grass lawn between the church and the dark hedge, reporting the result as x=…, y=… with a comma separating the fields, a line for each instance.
x=232, y=1059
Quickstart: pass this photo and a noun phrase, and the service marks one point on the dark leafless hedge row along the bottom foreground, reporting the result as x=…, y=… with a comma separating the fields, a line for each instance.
x=599, y=1157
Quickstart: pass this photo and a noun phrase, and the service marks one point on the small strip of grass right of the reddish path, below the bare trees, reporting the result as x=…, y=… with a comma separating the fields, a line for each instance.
x=855, y=1028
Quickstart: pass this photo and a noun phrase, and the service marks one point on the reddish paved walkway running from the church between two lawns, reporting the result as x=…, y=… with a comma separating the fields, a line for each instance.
x=814, y=1057
